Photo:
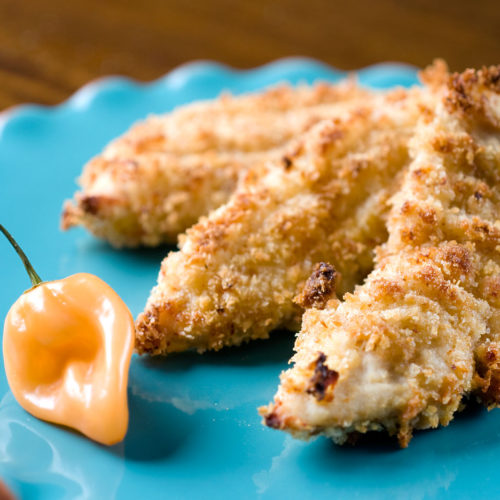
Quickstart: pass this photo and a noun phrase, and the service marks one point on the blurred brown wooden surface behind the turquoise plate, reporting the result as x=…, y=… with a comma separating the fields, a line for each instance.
x=50, y=48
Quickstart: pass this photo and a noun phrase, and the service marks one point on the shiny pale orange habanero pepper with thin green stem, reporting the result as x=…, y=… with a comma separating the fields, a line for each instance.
x=67, y=346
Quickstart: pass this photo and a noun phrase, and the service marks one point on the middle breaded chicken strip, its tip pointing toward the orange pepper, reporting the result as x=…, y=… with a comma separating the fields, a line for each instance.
x=238, y=270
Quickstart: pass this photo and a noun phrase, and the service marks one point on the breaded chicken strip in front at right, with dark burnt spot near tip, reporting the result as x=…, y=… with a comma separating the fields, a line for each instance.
x=423, y=331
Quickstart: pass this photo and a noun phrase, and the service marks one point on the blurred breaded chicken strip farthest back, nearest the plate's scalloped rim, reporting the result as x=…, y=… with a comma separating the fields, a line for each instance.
x=163, y=174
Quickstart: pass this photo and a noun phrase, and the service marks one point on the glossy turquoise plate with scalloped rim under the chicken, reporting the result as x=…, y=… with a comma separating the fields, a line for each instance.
x=194, y=430
